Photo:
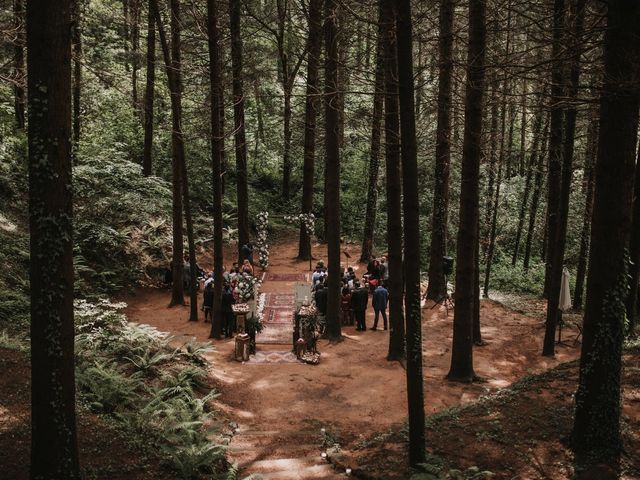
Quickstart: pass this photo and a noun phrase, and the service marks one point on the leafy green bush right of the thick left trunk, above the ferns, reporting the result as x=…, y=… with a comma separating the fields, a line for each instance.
x=122, y=227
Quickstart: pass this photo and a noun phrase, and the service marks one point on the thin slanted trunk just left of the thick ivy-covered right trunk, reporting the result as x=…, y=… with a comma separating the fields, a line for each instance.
x=589, y=183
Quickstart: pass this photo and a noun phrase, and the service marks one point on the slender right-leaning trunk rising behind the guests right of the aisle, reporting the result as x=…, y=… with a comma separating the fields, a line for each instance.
x=374, y=155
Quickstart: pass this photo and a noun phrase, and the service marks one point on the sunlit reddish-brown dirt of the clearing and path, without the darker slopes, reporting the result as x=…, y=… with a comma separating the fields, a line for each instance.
x=281, y=408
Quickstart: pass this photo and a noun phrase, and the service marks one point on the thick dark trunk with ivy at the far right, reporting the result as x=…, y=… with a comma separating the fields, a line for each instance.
x=596, y=429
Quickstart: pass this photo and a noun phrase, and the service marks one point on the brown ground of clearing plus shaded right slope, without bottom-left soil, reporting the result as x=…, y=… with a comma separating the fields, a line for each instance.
x=285, y=414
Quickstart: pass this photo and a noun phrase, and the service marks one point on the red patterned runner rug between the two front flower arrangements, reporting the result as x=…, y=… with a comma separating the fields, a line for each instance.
x=277, y=317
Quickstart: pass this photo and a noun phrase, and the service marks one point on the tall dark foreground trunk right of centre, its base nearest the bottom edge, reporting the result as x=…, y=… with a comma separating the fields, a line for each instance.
x=411, y=208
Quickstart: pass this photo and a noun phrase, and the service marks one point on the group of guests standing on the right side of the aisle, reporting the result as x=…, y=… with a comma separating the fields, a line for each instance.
x=354, y=298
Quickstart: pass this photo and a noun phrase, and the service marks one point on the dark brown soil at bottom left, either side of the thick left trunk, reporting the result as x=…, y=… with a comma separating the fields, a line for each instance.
x=104, y=452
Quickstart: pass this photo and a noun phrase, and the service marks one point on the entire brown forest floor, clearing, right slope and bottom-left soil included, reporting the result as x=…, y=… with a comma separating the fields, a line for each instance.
x=279, y=417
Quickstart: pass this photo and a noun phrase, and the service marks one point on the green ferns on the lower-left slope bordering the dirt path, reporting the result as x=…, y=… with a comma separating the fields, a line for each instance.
x=132, y=373
